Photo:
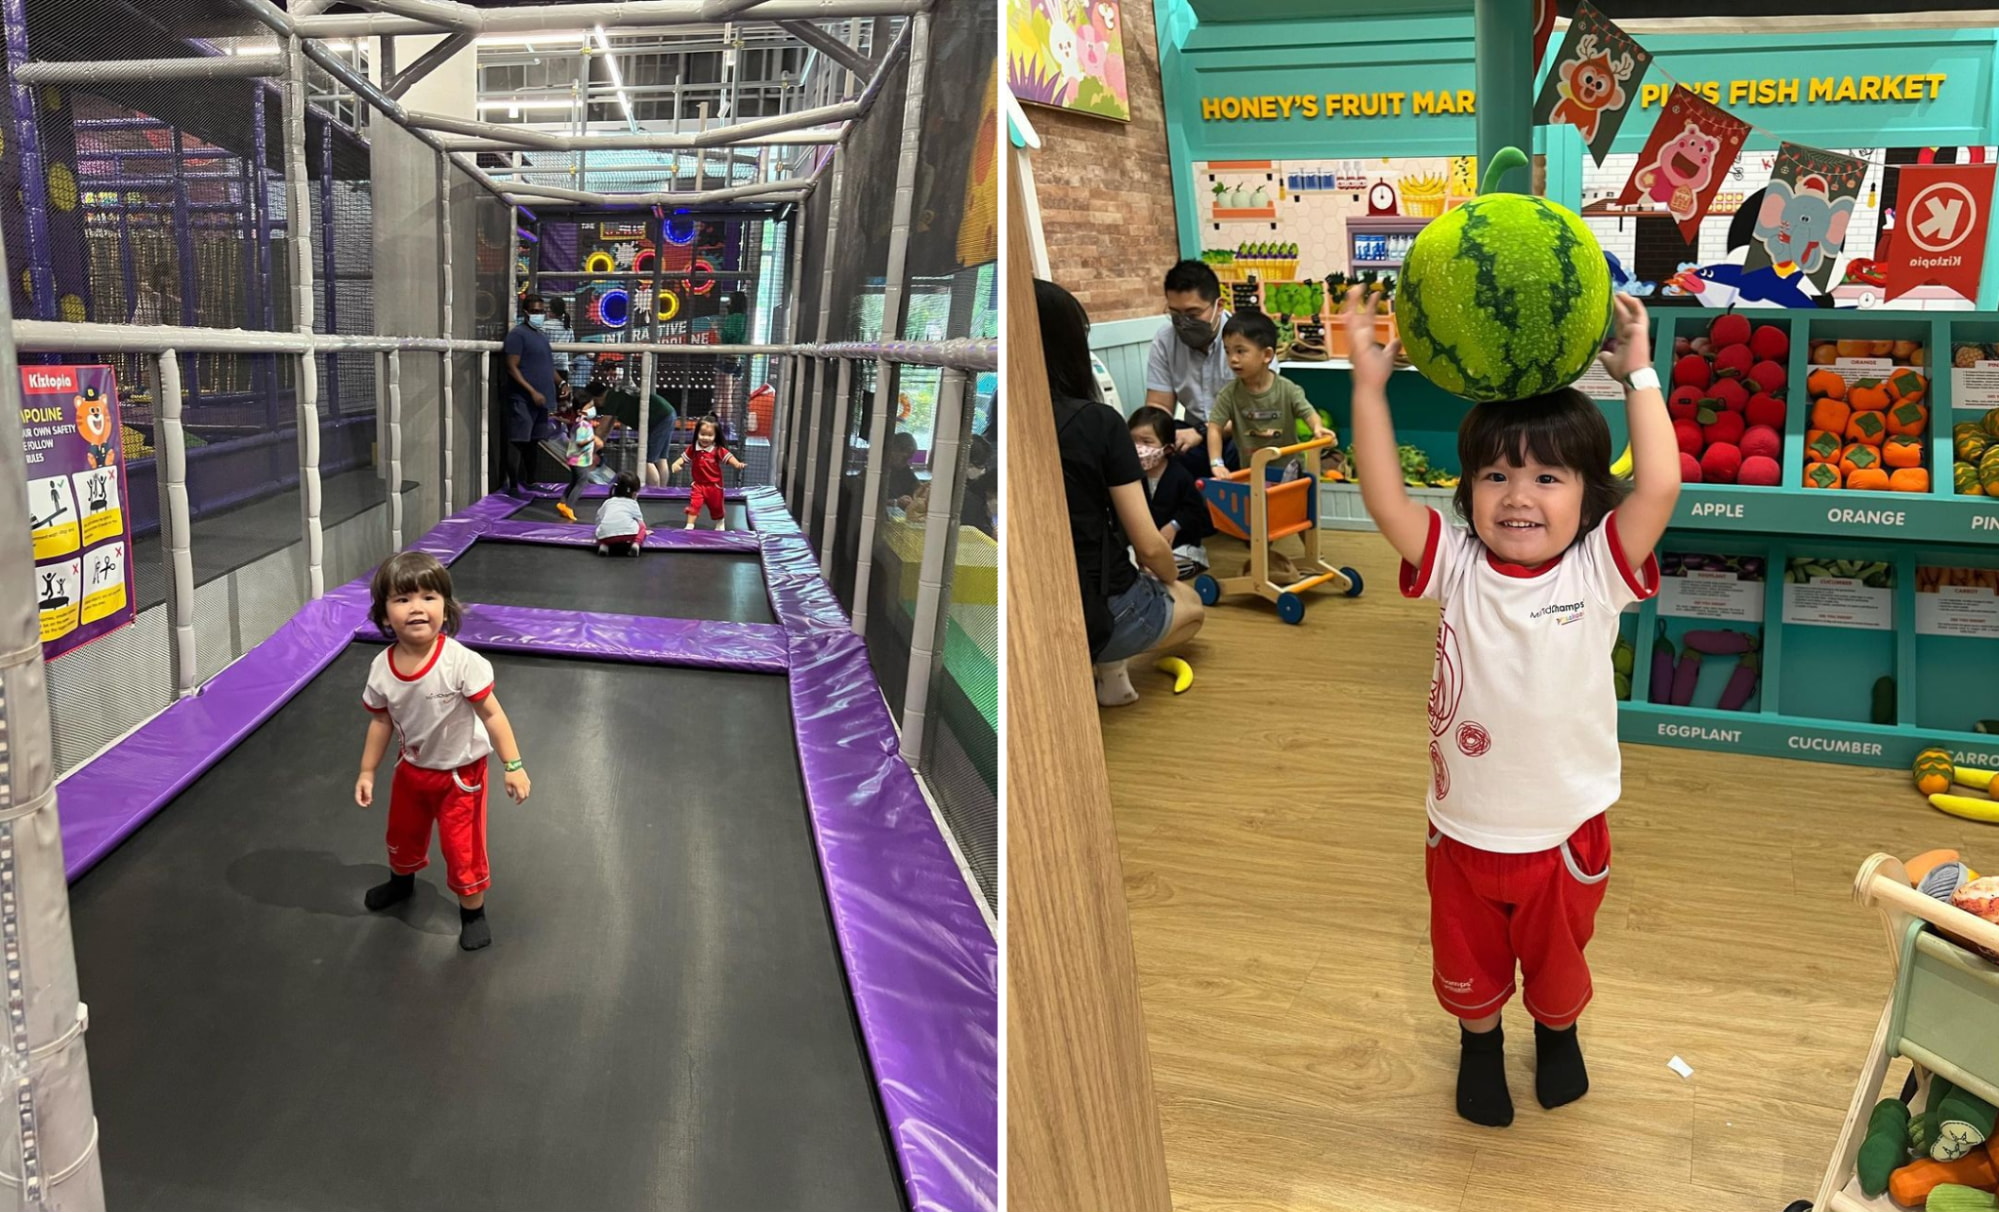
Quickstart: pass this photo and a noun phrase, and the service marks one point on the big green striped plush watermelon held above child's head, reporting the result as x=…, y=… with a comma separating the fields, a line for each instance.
x=1506, y=297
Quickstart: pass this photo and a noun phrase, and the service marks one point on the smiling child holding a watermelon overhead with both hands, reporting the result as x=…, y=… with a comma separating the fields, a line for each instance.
x=1522, y=706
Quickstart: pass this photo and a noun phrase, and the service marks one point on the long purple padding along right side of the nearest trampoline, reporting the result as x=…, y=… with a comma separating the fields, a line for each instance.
x=923, y=966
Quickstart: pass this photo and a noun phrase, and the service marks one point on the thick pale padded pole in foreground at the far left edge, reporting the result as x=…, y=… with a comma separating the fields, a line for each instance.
x=53, y=1134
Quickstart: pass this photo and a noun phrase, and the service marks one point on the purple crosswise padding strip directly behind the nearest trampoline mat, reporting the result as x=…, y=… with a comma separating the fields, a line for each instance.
x=751, y=648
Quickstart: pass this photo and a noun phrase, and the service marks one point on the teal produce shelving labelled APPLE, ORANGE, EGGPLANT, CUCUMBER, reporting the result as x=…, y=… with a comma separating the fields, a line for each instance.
x=1816, y=694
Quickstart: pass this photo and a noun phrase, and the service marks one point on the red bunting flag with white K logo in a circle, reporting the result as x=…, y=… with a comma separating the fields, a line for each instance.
x=1942, y=219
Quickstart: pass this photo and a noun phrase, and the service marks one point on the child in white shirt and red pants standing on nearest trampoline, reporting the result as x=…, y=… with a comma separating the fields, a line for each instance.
x=439, y=698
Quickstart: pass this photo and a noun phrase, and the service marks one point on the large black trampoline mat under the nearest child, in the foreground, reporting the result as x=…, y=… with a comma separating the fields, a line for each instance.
x=661, y=1022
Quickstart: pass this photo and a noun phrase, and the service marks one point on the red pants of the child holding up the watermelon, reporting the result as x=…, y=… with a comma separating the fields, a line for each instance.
x=1490, y=912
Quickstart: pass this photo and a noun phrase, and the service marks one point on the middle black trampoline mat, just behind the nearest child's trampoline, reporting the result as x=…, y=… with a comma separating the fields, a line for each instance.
x=657, y=583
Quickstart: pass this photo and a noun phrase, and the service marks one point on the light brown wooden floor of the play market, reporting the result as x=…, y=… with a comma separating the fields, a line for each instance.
x=1272, y=836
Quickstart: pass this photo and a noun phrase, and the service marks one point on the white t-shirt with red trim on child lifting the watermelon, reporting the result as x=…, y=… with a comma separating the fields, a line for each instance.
x=1522, y=704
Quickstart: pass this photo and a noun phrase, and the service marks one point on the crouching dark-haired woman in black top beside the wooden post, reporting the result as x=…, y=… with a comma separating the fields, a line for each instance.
x=1126, y=610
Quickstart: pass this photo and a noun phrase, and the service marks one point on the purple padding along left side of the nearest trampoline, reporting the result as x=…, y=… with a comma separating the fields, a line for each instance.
x=115, y=794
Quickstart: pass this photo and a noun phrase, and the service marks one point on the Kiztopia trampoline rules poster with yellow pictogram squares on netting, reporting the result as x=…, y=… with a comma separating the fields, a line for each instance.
x=77, y=505
